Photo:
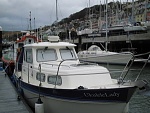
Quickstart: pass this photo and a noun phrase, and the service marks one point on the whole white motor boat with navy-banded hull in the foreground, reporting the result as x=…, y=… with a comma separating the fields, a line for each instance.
x=52, y=72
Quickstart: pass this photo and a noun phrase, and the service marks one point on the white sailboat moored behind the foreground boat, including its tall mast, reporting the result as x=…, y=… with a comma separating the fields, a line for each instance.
x=95, y=54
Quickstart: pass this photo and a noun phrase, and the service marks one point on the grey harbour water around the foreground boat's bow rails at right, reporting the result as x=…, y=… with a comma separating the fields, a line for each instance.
x=140, y=101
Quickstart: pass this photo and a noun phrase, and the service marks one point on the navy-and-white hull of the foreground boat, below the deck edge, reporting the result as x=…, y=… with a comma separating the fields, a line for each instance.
x=79, y=100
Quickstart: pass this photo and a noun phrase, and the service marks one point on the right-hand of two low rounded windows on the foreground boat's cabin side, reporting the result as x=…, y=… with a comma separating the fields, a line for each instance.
x=55, y=80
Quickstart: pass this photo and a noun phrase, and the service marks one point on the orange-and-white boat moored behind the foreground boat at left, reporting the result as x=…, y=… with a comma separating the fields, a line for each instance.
x=10, y=55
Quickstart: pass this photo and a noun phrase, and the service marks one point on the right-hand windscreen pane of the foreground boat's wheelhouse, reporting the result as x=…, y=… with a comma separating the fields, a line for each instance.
x=67, y=54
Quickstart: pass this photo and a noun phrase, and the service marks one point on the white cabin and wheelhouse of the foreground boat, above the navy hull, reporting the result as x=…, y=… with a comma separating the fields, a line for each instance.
x=56, y=63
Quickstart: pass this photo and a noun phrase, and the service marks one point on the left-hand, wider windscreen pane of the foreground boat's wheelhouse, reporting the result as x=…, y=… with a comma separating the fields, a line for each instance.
x=46, y=55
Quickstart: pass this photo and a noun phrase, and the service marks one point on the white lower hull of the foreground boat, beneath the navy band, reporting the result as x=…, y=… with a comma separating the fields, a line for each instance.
x=53, y=105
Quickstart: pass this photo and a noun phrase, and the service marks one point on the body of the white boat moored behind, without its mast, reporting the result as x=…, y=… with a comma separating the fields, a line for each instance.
x=95, y=54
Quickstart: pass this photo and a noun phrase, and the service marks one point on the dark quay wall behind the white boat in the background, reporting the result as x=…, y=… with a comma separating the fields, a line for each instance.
x=137, y=43
